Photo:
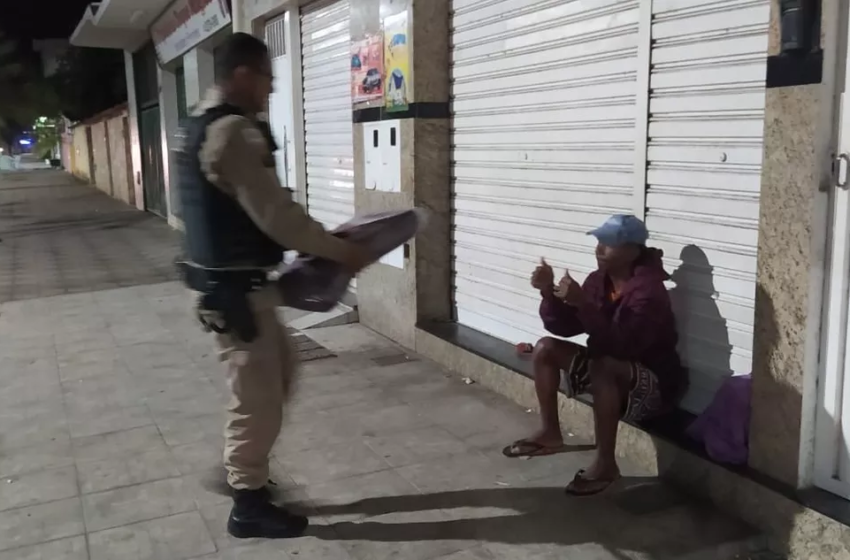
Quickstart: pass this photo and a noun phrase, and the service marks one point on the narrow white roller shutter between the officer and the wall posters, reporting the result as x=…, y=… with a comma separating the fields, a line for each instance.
x=325, y=51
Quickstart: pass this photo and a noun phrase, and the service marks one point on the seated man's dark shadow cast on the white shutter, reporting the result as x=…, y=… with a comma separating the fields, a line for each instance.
x=703, y=333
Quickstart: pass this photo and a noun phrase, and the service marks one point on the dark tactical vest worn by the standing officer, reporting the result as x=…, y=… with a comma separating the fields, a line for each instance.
x=218, y=232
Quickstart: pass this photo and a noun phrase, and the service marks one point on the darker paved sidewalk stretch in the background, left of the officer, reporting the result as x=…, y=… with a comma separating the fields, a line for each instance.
x=58, y=236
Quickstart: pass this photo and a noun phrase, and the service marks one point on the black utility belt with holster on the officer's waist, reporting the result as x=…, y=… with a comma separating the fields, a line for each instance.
x=223, y=305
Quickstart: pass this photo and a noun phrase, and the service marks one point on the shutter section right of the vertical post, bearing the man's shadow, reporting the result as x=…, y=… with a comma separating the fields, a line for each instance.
x=704, y=175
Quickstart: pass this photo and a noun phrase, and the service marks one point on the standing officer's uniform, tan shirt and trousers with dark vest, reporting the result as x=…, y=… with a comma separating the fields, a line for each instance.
x=238, y=216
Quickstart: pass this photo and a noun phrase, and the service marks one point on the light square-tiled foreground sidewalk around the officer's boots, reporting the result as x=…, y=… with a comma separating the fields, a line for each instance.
x=110, y=433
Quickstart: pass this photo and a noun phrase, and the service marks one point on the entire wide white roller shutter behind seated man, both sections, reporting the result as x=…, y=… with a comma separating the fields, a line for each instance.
x=566, y=112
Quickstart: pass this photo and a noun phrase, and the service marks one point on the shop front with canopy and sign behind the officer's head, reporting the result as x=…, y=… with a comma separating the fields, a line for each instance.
x=169, y=52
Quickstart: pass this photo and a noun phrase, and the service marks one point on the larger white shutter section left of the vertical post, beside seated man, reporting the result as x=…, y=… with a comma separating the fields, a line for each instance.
x=544, y=102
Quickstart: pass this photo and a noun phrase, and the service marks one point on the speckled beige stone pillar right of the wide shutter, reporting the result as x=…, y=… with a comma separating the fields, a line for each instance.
x=799, y=136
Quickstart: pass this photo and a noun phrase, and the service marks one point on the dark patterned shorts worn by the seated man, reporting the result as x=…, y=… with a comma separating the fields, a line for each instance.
x=644, y=398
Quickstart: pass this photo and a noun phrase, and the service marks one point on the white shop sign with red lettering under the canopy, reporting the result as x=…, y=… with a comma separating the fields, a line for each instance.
x=185, y=24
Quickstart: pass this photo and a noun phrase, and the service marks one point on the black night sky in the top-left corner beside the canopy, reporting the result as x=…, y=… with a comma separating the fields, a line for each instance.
x=40, y=19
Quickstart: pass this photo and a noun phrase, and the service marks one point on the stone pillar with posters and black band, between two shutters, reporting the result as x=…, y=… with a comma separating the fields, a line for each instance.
x=391, y=300
